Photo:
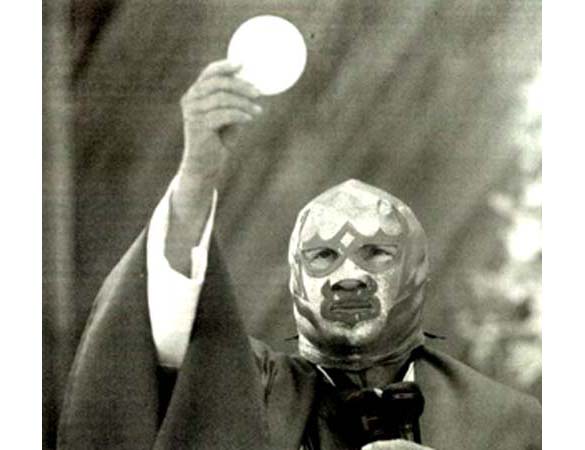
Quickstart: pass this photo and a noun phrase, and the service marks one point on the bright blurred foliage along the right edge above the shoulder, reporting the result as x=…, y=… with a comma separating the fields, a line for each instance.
x=502, y=325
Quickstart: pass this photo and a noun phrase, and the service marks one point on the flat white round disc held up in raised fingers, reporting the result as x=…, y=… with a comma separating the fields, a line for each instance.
x=272, y=52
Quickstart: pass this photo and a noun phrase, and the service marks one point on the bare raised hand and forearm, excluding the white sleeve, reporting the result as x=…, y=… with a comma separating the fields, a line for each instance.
x=216, y=100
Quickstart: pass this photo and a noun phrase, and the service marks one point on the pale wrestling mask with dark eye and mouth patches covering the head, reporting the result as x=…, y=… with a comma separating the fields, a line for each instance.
x=358, y=260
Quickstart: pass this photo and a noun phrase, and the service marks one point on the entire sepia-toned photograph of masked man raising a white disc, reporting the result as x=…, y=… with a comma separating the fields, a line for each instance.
x=278, y=224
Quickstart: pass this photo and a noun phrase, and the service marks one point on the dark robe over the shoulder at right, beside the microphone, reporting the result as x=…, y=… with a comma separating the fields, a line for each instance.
x=481, y=411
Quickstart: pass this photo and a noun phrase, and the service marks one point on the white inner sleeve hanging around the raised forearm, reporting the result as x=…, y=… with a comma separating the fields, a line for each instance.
x=173, y=297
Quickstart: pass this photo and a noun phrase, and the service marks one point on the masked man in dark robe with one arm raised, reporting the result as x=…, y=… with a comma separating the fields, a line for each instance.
x=165, y=361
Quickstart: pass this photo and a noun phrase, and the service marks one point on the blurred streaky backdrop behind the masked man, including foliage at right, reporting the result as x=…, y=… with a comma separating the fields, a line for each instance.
x=425, y=99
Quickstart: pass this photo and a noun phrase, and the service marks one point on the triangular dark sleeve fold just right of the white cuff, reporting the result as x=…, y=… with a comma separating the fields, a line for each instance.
x=217, y=401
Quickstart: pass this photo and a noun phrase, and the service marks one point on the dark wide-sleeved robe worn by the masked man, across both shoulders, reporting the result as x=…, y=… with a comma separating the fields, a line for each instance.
x=236, y=393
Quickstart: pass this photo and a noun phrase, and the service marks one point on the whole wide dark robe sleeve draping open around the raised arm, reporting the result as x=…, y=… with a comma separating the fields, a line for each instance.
x=112, y=400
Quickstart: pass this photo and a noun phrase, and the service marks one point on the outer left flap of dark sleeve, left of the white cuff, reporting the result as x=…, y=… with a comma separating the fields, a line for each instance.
x=112, y=396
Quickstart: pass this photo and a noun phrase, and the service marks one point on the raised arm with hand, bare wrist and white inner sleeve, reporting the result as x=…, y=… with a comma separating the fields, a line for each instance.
x=180, y=228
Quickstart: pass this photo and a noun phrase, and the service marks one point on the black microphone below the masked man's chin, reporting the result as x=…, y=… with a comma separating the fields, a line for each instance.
x=391, y=413
